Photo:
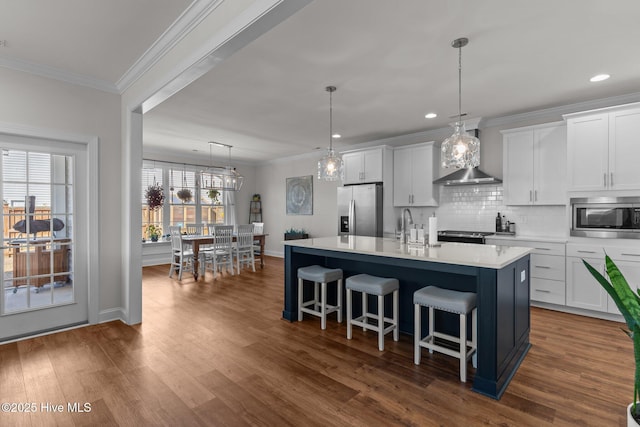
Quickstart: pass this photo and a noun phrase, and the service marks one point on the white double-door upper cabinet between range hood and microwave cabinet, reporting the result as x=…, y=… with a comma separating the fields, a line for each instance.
x=534, y=165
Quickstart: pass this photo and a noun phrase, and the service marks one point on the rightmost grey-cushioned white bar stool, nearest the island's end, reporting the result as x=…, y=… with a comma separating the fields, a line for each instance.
x=457, y=302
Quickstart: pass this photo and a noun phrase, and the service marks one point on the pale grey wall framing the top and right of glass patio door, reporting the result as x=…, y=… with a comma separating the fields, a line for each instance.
x=39, y=102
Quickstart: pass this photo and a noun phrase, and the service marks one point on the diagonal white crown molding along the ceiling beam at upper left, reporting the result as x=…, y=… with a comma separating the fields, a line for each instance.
x=182, y=26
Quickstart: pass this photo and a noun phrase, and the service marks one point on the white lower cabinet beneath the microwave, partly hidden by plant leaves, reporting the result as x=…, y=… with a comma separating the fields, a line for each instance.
x=583, y=291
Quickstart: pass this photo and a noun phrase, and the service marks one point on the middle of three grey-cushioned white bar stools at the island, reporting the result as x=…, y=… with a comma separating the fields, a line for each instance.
x=372, y=285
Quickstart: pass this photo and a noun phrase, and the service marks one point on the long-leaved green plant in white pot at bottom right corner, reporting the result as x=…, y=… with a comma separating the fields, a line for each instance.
x=628, y=303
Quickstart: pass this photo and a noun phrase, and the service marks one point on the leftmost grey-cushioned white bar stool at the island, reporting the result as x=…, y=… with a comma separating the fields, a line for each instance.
x=319, y=307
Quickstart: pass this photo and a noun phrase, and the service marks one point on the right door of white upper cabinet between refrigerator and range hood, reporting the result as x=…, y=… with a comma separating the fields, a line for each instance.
x=422, y=172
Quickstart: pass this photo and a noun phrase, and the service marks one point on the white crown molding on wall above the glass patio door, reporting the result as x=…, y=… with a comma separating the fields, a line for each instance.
x=57, y=74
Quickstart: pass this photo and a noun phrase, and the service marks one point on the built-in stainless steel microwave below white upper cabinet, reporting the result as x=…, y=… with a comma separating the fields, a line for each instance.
x=607, y=217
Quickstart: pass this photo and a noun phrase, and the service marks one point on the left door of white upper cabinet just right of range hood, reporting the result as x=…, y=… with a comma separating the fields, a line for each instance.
x=518, y=168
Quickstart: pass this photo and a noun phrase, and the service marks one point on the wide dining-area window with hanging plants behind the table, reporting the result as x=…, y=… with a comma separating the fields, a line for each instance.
x=178, y=183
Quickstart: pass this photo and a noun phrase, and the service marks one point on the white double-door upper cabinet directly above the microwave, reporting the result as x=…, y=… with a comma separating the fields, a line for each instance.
x=603, y=149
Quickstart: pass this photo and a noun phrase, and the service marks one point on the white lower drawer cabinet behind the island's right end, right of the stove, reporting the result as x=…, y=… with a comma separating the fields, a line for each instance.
x=547, y=269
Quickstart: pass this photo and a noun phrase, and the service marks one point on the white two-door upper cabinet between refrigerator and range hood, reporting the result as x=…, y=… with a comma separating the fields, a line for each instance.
x=413, y=172
